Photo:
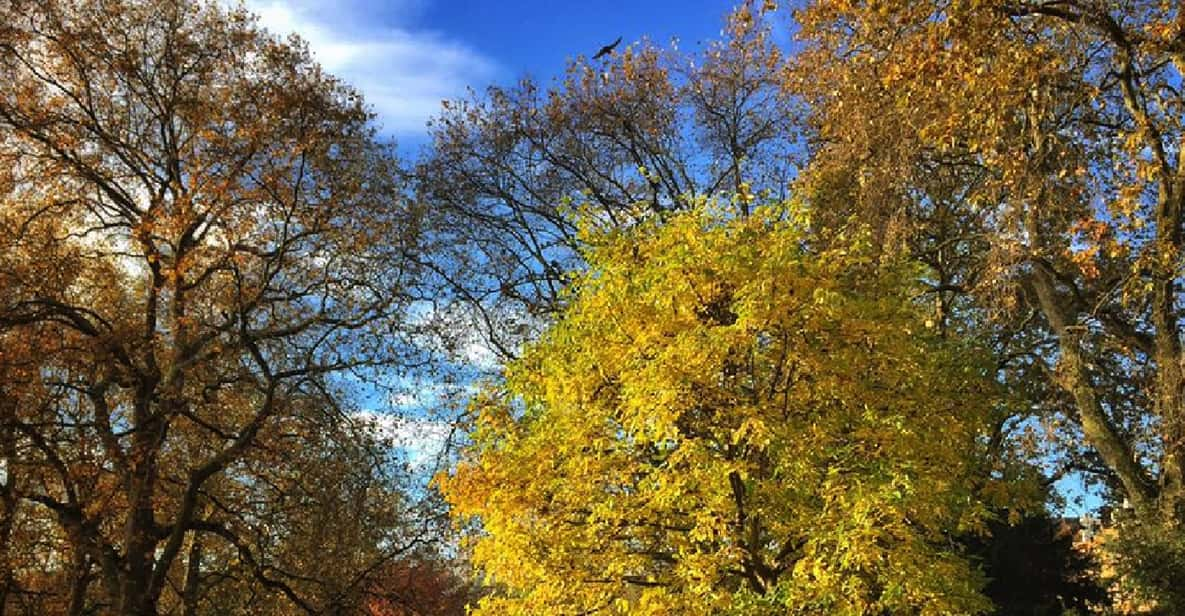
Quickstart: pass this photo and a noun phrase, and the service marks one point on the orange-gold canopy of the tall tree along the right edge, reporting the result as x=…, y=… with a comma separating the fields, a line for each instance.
x=1052, y=130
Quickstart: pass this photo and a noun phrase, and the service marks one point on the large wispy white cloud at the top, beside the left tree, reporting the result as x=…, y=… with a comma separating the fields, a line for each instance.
x=403, y=73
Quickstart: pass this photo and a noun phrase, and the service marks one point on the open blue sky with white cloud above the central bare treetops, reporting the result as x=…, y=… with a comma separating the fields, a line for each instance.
x=406, y=56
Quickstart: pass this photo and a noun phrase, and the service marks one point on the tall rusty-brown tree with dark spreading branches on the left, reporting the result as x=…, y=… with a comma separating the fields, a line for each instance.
x=202, y=243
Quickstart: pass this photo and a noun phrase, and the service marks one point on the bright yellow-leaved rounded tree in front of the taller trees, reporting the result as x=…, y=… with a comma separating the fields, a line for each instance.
x=731, y=418
